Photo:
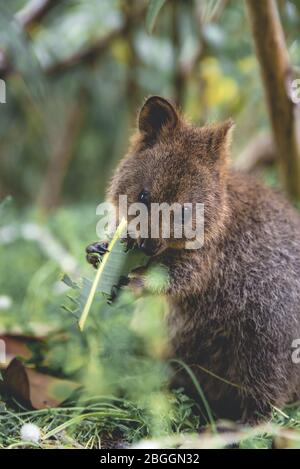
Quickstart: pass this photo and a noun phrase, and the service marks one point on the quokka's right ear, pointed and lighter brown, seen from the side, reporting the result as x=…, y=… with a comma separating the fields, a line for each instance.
x=218, y=137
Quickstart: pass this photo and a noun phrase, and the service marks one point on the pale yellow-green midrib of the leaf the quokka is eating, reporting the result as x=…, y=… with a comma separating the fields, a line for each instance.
x=121, y=228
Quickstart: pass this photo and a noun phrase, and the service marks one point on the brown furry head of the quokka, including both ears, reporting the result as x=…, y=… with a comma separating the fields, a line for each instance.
x=170, y=161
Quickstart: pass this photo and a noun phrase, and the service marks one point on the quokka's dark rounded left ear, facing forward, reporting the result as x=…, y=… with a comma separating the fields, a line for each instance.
x=157, y=115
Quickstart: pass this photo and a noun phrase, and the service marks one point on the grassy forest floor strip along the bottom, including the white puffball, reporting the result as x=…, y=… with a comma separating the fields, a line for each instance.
x=96, y=426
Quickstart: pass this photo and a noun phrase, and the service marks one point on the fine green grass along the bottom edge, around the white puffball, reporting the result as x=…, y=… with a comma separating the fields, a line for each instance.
x=110, y=421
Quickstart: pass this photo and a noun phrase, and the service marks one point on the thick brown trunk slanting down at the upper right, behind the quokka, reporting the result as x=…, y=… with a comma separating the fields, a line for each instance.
x=277, y=77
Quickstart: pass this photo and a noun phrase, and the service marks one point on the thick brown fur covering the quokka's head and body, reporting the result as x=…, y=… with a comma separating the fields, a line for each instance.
x=235, y=303
